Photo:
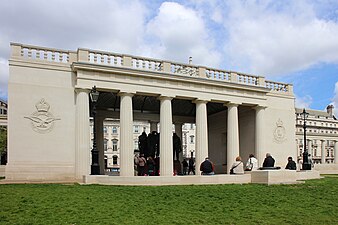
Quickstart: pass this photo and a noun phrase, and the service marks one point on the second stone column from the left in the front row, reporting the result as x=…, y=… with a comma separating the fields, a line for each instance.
x=126, y=135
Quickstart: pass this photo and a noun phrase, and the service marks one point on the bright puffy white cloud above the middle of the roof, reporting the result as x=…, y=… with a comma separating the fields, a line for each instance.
x=178, y=32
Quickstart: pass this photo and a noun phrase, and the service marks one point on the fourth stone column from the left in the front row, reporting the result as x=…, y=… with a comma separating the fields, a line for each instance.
x=201, y=147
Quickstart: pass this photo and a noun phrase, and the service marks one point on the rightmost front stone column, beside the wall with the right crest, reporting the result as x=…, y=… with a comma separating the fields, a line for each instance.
x=259, y=135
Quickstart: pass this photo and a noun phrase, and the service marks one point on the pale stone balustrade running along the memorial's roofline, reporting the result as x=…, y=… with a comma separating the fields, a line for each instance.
x=35, y=53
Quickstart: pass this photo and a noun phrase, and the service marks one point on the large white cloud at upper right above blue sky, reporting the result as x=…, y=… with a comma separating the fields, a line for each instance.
x=269, y=38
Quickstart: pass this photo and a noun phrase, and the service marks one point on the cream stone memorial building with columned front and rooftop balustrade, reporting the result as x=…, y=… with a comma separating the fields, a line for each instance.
x=235, y=114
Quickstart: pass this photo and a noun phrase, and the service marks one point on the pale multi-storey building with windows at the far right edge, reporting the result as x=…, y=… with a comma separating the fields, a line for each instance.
x=321, y=135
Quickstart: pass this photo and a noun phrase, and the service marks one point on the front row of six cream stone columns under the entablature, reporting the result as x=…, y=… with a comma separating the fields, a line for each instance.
x=166, y=157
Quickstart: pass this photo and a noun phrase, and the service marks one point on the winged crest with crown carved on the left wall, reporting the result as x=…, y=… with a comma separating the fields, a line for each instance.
x=42, y=121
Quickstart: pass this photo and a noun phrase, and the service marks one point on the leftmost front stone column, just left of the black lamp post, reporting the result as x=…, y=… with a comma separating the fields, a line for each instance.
x=82, y=149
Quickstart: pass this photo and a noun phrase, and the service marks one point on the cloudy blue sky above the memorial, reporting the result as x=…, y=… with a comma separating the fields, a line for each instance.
x=291, y=41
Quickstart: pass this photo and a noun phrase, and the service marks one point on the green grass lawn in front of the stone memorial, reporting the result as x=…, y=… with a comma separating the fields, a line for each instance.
x=315, y=202
